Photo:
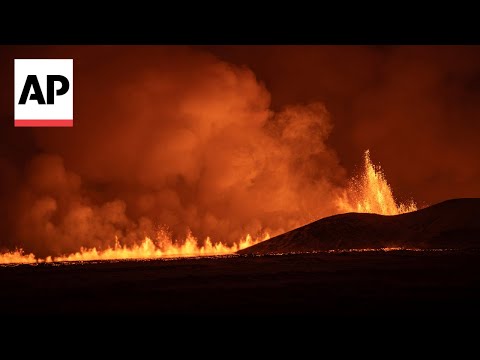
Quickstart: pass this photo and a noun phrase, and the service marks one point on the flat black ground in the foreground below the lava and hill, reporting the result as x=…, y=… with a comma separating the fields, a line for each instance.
x=341, y=284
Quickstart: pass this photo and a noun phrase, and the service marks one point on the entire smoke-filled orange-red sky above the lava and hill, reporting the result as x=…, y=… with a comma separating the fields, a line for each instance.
x=228, y=138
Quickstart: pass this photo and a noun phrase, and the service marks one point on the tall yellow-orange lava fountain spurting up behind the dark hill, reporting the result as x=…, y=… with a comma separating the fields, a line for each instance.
x=371, y=193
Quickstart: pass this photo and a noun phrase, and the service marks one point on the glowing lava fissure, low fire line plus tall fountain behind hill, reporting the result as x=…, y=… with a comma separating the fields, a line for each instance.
x=368, y=193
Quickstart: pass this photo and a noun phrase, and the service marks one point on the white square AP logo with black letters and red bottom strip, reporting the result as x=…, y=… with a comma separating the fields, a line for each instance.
x=43, y=92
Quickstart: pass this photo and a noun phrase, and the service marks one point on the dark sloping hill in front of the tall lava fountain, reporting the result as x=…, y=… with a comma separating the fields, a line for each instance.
x=452, y=224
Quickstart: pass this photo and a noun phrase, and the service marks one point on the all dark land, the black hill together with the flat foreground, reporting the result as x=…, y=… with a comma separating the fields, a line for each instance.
x=381, y=283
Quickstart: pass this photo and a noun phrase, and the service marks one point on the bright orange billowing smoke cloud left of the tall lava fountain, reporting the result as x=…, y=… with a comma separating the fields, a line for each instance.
x=174, y=137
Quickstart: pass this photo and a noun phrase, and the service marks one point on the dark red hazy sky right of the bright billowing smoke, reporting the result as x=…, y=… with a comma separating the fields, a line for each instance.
x=415, y=107
